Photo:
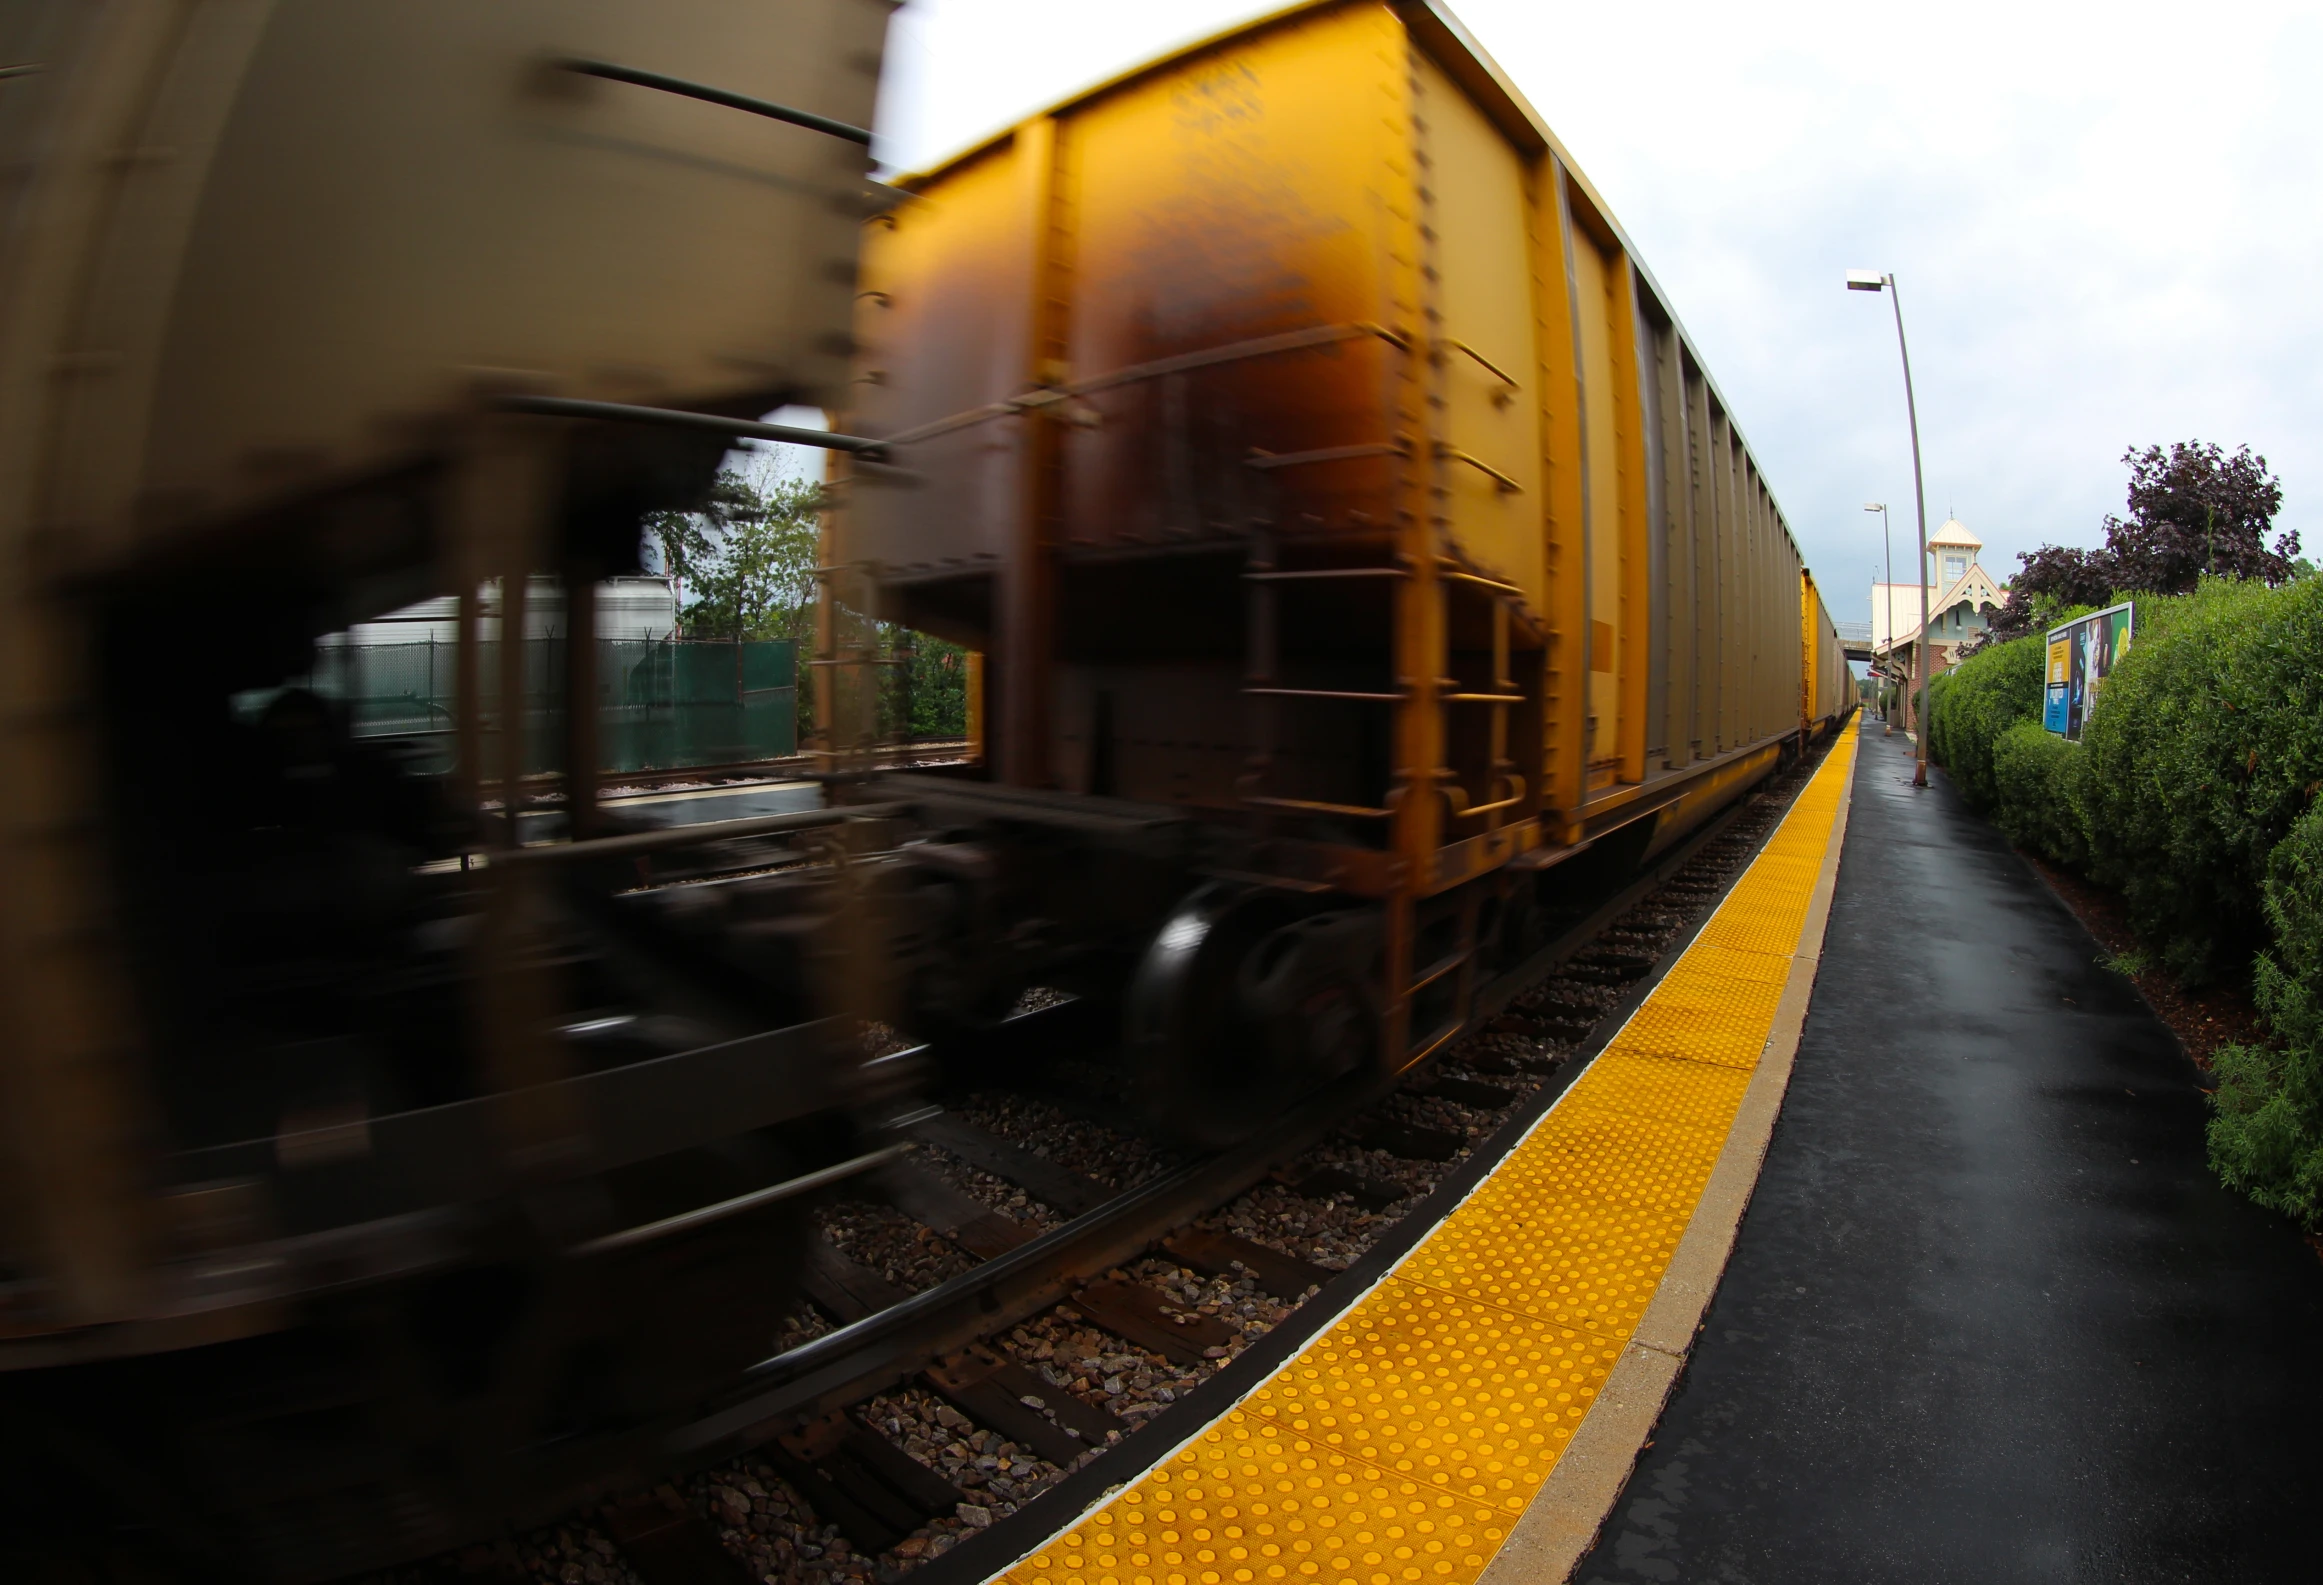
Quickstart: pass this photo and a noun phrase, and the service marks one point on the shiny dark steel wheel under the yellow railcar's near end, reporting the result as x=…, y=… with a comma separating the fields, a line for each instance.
x=1244, y=1003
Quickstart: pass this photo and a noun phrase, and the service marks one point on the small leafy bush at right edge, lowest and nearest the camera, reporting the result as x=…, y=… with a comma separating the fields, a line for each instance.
x=2266, y=1135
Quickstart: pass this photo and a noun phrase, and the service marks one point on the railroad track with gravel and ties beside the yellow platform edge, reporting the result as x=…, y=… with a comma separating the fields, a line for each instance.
x=944, y=1423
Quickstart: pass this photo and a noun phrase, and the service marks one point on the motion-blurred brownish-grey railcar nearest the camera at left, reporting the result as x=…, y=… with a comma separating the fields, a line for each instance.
x=359, y=1198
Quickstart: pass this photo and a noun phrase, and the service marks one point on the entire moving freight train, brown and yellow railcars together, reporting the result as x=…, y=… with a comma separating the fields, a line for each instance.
x=1358, y=559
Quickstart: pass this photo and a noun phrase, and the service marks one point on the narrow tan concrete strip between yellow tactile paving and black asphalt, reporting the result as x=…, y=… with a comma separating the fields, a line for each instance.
x=1572, y=1507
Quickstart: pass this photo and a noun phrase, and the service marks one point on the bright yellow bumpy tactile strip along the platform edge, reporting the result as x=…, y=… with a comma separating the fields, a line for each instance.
x=1411, y=1435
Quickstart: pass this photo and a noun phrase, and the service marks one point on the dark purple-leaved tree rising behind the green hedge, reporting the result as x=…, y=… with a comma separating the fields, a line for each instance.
x=2194, y=512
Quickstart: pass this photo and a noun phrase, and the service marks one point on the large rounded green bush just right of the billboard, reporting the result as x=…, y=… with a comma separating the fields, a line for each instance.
x=2203, y=752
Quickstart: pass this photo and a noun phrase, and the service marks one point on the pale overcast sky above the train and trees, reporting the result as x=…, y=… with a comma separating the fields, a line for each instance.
x=2106, y=224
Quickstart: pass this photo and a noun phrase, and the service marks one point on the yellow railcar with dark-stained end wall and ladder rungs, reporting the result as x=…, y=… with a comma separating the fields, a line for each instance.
x=1349, y=531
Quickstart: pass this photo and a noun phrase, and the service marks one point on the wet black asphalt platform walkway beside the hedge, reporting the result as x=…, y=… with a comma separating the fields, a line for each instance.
x=1990, y=1317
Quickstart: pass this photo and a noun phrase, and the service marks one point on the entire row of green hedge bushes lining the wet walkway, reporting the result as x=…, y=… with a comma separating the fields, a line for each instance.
x=2196, y=796
